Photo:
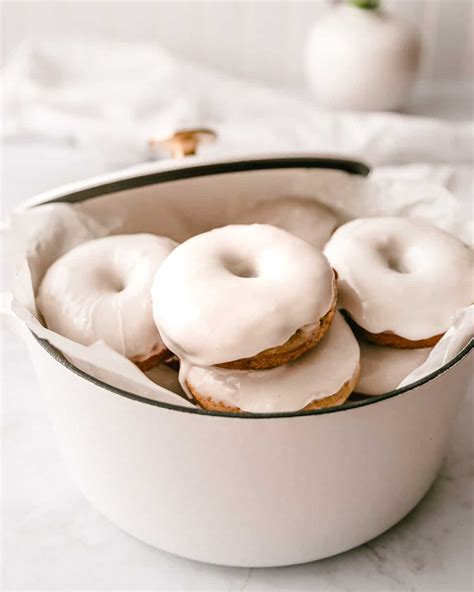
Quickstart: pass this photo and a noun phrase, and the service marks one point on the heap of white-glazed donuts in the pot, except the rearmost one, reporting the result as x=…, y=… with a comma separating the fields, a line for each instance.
x=250, y=310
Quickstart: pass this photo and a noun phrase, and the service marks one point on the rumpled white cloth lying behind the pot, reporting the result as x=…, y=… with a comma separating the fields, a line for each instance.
x=113, y=97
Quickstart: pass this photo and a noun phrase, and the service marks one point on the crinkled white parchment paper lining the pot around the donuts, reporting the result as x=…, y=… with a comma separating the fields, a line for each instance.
x=180, y=209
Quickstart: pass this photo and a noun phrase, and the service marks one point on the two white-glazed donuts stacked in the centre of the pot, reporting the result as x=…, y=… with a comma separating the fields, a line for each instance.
x=250, y=310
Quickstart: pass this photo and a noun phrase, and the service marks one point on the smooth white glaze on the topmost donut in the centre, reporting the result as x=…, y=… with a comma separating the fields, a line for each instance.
x=235, y=291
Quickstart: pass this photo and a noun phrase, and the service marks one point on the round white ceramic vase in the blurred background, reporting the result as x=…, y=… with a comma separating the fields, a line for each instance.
x=361, y=59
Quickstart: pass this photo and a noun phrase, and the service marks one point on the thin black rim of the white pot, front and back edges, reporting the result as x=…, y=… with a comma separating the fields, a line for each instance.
x=227, y=166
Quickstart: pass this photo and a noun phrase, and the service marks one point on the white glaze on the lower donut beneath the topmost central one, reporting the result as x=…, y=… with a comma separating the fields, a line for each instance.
x=317, y=374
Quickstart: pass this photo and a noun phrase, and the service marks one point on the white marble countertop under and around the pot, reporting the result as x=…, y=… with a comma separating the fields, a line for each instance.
x=53, y=539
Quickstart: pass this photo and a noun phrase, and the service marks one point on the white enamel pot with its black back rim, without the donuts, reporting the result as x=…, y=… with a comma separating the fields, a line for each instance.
x=262, y=490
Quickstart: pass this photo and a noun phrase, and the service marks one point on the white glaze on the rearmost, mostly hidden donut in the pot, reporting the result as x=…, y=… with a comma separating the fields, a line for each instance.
x=302, y=216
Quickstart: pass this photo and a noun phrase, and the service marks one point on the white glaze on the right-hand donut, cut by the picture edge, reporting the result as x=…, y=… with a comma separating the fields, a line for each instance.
x=400, y=275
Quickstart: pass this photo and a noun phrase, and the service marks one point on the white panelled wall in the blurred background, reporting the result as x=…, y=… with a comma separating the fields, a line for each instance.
x=261, y=40
